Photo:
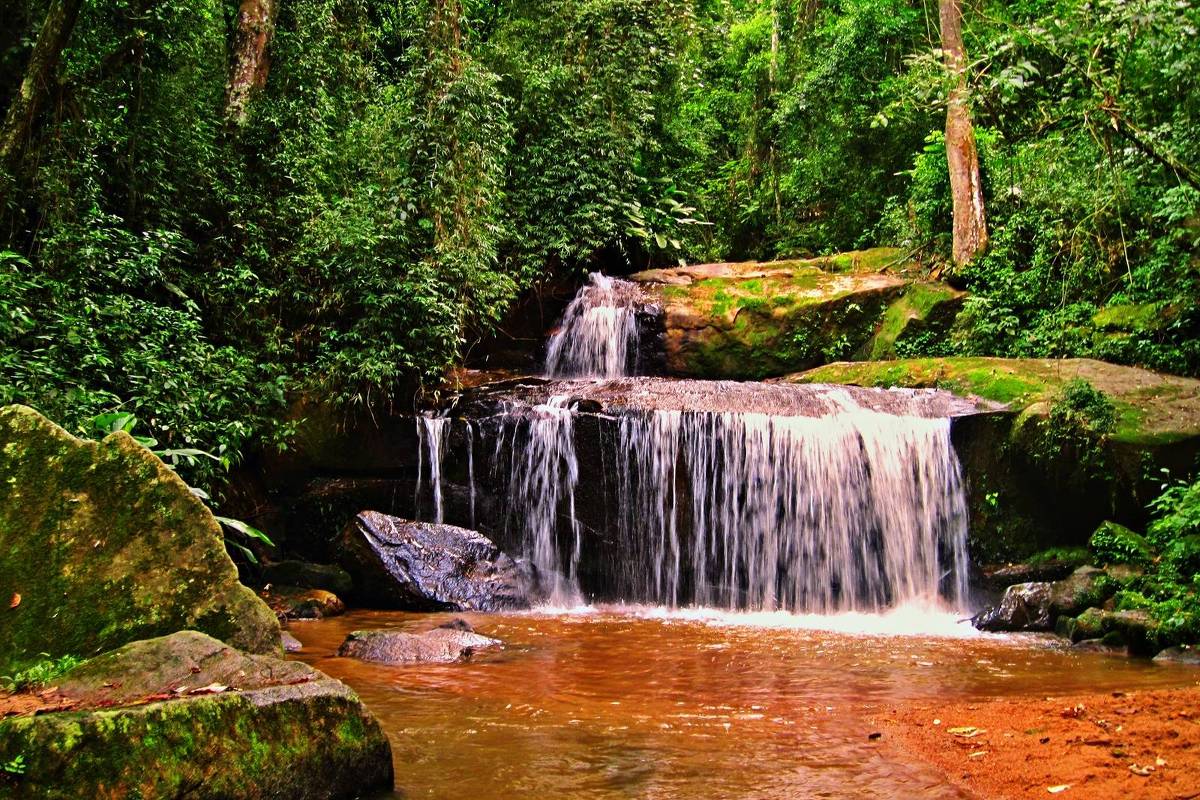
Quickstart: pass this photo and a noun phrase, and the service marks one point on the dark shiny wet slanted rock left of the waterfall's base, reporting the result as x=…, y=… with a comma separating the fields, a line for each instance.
x=424, y=567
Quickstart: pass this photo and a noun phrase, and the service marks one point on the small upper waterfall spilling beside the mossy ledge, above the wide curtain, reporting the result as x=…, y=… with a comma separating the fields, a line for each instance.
x=598, y=334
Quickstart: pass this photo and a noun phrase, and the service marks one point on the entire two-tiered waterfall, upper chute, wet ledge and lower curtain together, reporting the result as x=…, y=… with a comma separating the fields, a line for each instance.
x=737, y=496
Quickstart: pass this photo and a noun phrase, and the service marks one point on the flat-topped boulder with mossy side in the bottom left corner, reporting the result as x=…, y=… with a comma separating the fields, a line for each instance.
x=260, y=727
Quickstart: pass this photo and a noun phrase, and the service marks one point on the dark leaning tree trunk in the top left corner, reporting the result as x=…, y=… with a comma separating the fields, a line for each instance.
x=19, y=123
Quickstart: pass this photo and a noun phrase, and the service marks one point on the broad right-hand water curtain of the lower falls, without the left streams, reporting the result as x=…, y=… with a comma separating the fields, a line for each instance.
x=856, y=512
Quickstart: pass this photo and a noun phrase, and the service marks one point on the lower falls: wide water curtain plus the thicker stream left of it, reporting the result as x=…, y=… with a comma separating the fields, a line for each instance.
x=857, y=510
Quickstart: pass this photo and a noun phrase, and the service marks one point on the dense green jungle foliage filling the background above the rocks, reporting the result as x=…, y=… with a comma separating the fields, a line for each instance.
x=196, y=248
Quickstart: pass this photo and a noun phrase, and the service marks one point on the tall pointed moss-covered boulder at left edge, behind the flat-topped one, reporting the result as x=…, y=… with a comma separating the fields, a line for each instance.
x=101, y=545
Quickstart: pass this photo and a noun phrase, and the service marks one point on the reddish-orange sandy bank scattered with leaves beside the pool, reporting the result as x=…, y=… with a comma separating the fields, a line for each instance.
x=1144, y=745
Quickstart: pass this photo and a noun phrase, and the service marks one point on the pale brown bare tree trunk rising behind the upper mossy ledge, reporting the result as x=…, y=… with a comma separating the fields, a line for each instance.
x=967, y=189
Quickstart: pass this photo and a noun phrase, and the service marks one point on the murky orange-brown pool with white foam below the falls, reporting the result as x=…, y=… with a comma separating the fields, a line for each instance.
x=627, y=703
